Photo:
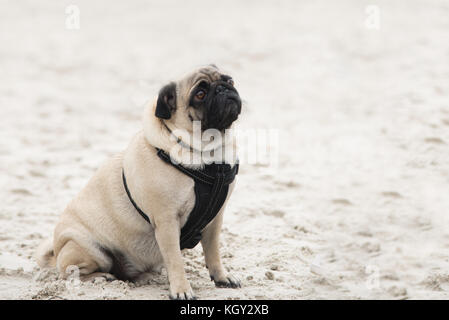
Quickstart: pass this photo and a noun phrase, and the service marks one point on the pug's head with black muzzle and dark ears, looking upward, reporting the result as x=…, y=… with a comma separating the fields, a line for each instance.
x=205, y=95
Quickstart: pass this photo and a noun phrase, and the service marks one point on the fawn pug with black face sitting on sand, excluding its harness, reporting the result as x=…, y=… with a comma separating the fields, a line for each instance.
x=101, y=232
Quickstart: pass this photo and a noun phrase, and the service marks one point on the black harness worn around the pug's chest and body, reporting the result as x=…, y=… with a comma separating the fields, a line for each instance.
x=211, y=189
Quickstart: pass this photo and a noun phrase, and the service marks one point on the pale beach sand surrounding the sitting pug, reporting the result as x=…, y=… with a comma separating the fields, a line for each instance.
x=357, y=207
